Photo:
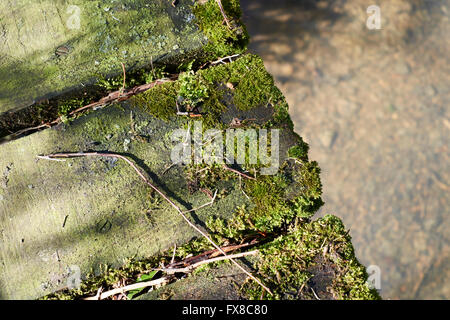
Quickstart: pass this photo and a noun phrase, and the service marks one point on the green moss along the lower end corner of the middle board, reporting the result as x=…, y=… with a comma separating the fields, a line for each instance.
x=277, y=202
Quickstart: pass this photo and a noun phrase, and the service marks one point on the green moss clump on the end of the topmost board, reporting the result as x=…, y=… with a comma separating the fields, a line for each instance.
x=222, y=40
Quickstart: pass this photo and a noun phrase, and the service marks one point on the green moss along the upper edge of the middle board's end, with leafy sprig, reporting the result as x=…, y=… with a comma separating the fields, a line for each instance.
x=252, y=87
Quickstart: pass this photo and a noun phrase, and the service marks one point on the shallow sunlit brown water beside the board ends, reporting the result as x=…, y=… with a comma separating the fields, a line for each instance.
x=373, y=105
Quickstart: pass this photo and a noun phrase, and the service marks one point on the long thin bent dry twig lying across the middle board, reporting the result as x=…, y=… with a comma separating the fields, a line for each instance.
x=180, y=212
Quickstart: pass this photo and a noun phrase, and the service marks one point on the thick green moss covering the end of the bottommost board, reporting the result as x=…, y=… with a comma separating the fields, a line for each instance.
x=285, y=264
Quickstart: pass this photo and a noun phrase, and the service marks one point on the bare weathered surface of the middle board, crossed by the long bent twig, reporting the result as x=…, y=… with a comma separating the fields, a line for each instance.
x=90, y=212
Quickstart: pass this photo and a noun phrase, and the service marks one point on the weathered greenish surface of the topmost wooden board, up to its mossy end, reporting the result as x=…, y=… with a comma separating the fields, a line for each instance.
x=49, y=47
